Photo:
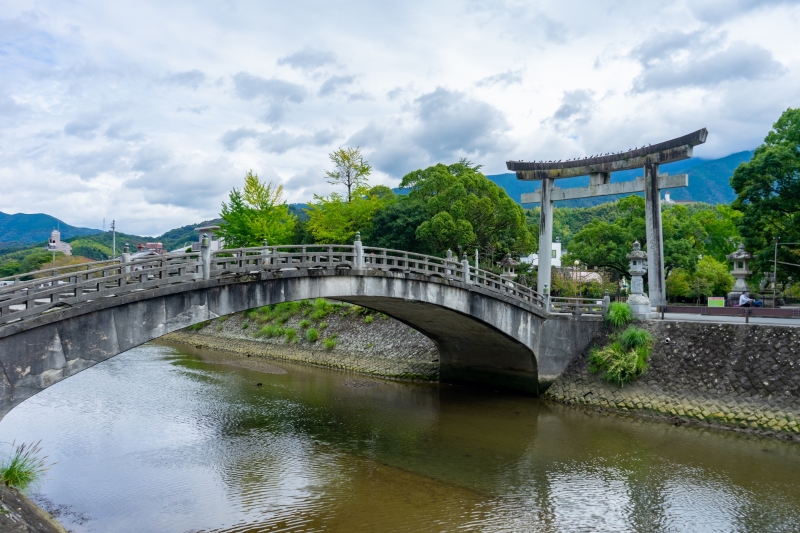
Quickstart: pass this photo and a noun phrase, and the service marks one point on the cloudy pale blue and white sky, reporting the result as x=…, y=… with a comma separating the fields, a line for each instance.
x=148, y=112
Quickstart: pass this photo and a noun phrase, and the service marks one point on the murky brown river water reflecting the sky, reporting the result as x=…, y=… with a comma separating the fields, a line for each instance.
x=171, y=439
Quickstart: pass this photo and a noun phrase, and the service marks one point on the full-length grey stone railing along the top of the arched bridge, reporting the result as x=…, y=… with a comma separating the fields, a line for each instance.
x=68, y=286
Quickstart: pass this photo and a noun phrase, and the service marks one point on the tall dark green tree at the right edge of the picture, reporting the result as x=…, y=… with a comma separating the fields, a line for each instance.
x=768, y=195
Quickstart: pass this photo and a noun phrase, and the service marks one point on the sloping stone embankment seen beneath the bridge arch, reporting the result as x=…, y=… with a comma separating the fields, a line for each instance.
x=373, y=344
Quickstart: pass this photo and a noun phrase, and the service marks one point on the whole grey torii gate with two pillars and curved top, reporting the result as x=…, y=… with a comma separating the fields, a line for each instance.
x=599, y=170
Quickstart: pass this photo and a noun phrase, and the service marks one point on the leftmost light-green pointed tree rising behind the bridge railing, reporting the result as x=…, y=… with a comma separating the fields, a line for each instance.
x=255, y=213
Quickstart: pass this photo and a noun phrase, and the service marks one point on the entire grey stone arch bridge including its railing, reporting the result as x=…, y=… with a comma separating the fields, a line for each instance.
x=488, y=330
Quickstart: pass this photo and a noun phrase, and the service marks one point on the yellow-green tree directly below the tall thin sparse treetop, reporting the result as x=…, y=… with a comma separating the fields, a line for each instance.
x=335, y=221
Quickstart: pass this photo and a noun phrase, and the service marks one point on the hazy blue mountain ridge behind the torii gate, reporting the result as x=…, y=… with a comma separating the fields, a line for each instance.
x=709, y=181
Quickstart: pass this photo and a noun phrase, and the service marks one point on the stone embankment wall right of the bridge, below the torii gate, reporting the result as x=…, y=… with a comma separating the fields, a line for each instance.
x=732, y=375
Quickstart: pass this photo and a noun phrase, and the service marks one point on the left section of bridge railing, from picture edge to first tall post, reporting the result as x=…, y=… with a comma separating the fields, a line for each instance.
x=36, y=296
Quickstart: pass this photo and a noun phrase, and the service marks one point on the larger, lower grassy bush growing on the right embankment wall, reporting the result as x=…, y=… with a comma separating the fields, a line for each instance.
x=625, y=359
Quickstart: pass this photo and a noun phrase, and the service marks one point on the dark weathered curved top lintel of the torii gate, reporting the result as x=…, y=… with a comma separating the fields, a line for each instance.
x=661, y=153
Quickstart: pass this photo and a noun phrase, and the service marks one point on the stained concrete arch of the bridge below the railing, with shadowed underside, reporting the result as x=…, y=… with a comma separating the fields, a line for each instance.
x=481, y=336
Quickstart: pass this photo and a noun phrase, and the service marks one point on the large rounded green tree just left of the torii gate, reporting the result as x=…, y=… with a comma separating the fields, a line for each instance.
x=465, y=208
